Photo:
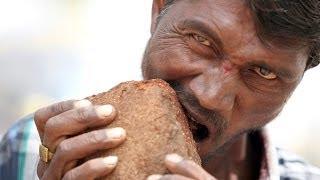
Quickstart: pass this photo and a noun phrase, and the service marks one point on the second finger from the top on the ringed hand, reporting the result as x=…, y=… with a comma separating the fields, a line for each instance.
x=75, y=121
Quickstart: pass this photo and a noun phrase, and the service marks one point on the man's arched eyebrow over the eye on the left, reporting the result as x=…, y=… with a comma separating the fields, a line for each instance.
x=195, y=24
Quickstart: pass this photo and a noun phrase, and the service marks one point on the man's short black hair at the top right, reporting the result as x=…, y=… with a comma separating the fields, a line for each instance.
x=292, y=23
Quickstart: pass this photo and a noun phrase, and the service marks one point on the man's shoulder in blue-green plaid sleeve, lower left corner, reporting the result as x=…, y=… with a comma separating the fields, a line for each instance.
x=19, y=150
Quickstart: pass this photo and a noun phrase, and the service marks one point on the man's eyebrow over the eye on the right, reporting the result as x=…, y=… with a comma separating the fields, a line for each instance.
x=280, y=71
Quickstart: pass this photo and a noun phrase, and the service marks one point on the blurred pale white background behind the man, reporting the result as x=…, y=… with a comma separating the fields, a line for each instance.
x=53, y=50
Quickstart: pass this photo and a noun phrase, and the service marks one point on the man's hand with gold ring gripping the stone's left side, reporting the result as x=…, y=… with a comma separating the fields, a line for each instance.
x=63, y=129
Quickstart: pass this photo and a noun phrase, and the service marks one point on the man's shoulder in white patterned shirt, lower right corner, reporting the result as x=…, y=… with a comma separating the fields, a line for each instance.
x=292, y=166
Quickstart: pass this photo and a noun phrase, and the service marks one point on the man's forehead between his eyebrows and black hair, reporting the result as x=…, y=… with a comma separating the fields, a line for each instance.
x=233, y=22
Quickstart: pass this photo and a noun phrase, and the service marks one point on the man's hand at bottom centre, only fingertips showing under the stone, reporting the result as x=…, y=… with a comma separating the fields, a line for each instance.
x=182, y=170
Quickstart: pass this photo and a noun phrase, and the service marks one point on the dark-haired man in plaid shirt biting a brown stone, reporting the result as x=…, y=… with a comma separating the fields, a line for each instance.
x=233, y=64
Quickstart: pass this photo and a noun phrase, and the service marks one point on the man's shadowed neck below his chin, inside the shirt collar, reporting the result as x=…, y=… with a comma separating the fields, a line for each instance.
x=239, y=161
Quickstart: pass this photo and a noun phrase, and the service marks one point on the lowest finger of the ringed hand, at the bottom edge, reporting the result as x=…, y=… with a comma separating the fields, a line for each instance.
x=92, y=169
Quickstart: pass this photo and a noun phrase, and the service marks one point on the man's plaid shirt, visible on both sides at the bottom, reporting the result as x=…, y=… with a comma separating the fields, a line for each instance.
x=19, y=157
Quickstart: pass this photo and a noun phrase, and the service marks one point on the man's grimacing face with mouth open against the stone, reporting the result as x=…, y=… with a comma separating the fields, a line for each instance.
x=226, y=79
